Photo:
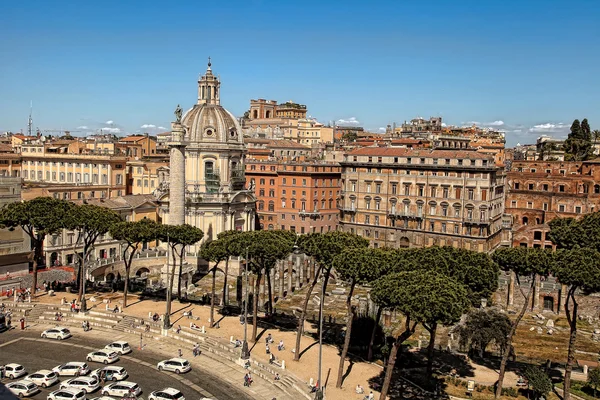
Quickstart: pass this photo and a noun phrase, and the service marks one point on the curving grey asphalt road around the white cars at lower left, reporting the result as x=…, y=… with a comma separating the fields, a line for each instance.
x=47, y=353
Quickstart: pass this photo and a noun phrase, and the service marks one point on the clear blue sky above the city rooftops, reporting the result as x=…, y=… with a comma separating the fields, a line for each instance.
x=529, y=67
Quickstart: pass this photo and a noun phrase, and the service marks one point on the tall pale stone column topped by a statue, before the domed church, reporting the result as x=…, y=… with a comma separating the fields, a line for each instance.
x=177, y=176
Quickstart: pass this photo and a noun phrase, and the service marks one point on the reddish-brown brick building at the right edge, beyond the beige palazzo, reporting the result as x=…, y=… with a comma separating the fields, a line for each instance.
x=539, y=191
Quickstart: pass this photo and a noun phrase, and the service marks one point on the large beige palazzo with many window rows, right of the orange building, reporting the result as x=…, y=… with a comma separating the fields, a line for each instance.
x=399, y=197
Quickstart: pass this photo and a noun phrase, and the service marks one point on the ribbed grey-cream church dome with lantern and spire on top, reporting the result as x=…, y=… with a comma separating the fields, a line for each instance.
x=208, y=122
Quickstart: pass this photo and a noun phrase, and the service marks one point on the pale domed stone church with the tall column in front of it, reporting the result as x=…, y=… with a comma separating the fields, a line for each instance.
x=206, y=186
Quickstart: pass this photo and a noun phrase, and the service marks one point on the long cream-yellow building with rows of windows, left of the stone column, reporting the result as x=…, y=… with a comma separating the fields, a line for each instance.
x=69, y=174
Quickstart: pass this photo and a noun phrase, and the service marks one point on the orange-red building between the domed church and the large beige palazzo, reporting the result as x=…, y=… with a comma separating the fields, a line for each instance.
x=298, y=196
